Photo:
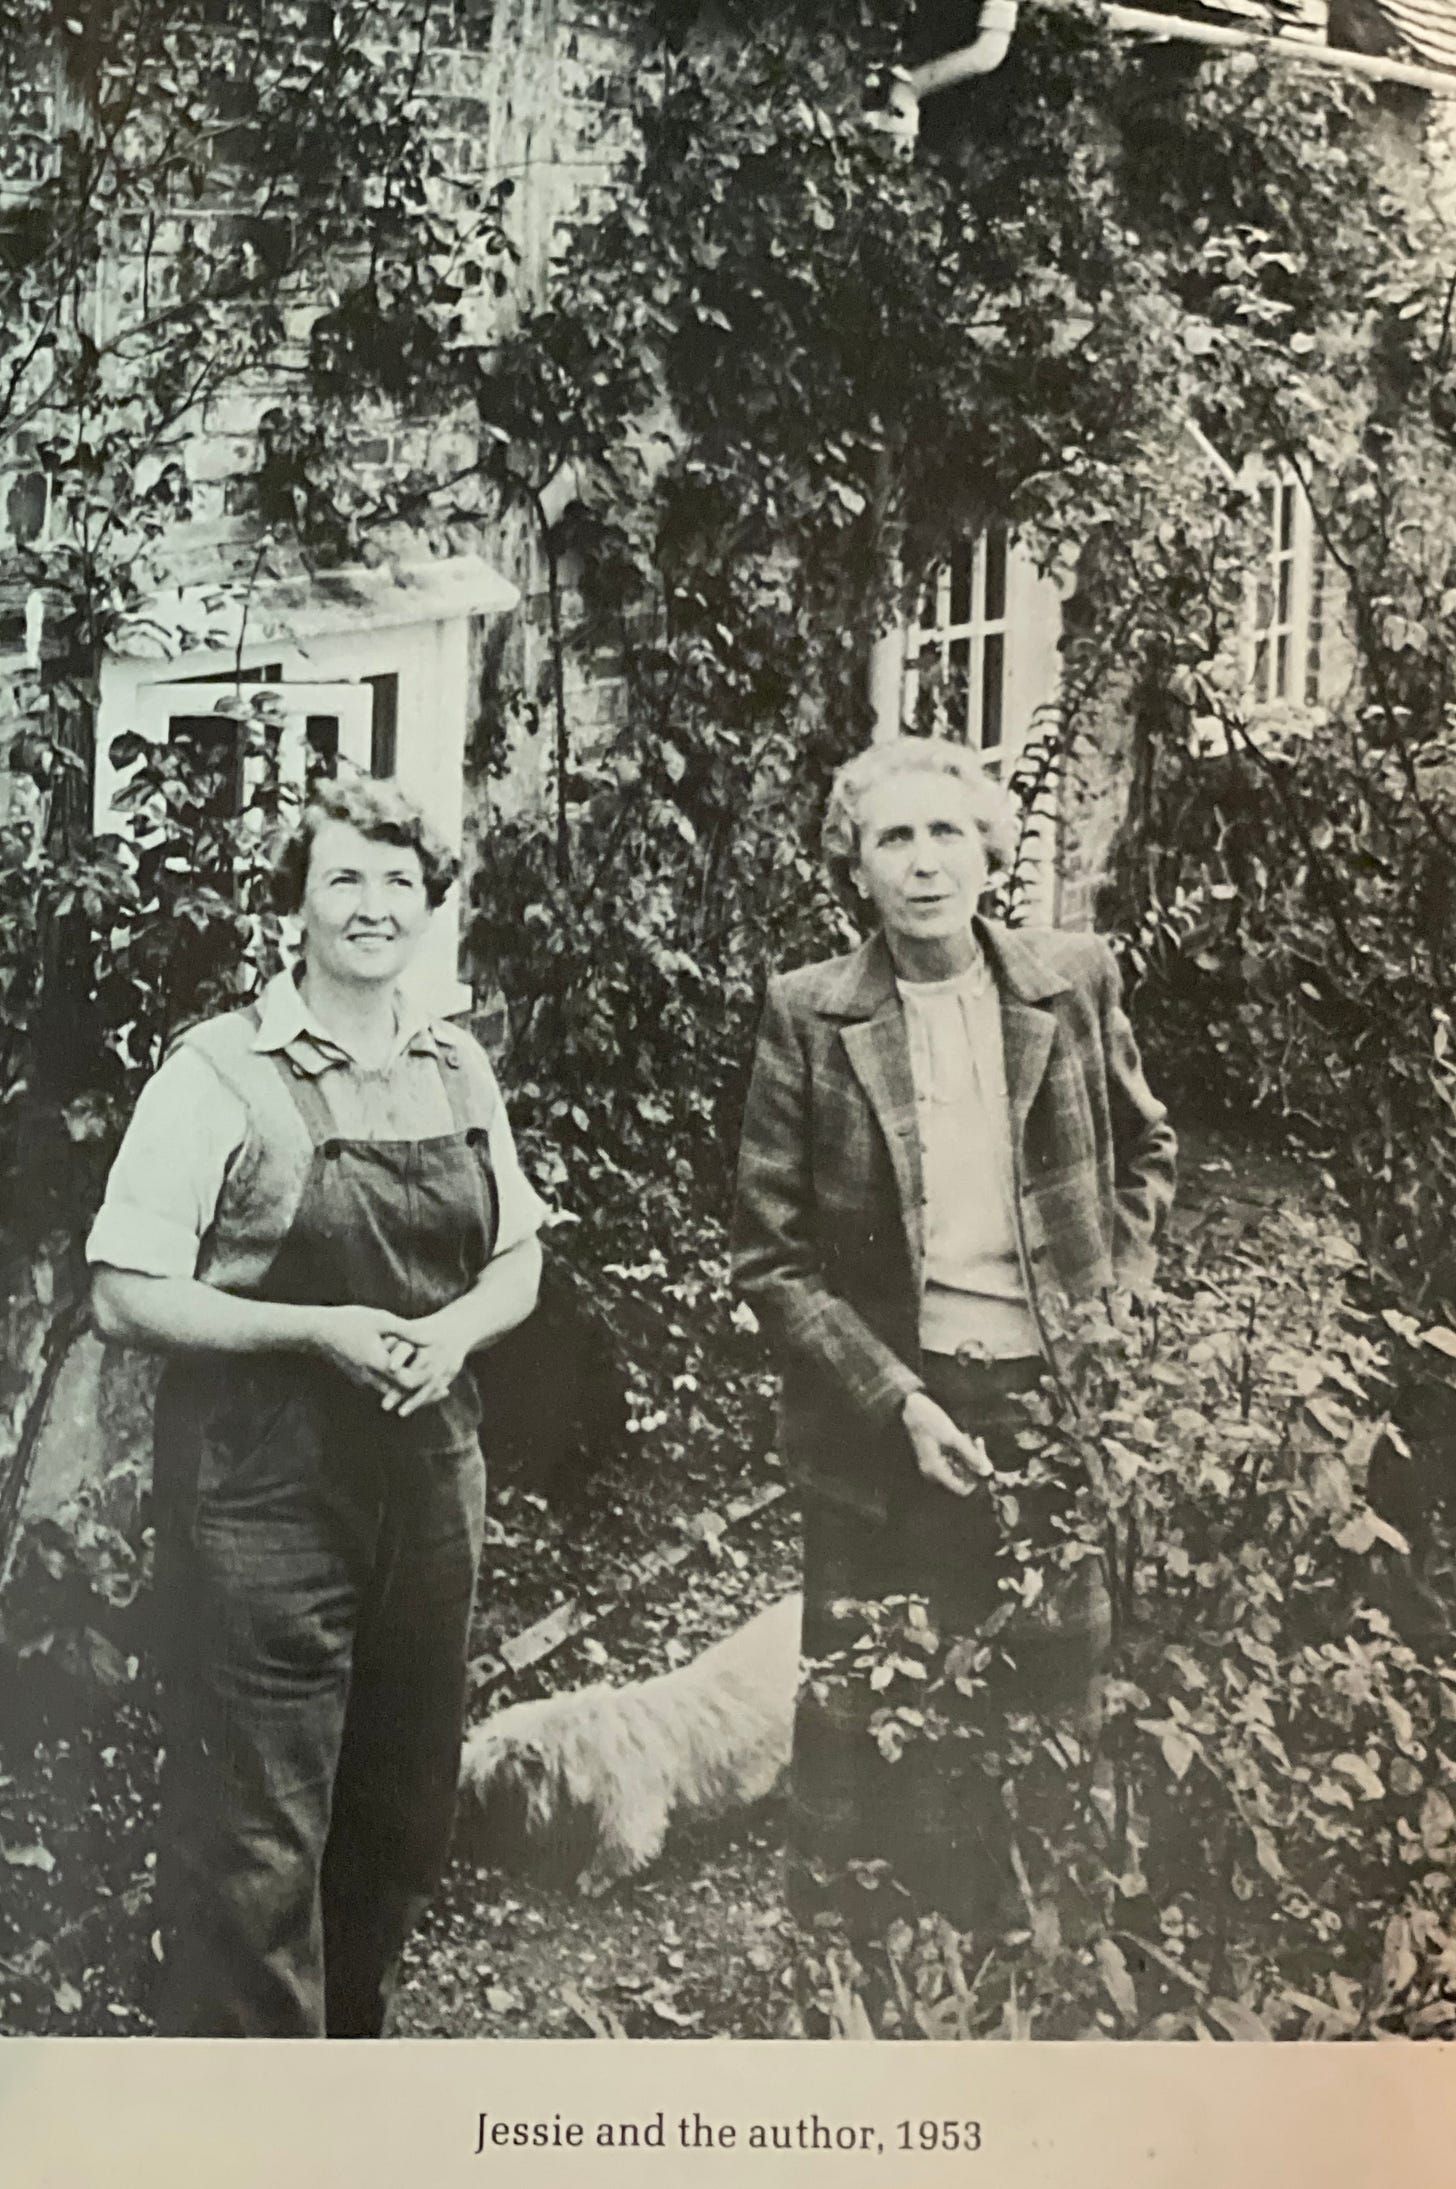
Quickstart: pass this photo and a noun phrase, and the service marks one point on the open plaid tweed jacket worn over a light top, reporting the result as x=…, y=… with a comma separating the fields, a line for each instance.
x=829, y=1214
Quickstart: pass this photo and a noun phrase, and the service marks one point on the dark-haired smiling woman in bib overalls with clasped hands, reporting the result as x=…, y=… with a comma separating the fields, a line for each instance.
x=319, y=1216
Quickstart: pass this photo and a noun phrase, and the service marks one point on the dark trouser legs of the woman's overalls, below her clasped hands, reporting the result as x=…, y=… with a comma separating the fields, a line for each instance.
x=316, y=1597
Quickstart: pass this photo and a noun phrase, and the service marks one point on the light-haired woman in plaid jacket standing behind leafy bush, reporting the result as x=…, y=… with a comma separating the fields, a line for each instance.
x=947, y=1144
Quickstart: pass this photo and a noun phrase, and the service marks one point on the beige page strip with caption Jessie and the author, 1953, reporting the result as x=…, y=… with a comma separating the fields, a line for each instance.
x=148, y=2116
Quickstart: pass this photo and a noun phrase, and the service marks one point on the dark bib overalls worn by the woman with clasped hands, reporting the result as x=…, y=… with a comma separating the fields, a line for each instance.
x=316, y=1579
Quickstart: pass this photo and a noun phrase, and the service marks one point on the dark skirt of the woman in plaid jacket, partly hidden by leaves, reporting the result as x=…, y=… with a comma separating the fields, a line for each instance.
x=870, y=1835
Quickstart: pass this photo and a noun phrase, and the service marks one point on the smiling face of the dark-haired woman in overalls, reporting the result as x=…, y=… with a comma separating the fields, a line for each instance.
x=365, y=907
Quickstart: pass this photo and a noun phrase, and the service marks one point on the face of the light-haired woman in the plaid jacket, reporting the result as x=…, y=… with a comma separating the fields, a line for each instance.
x=923, y=868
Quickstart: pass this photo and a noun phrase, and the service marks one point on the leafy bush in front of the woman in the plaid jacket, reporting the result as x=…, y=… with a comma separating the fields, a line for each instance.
x=1256, y=1842
